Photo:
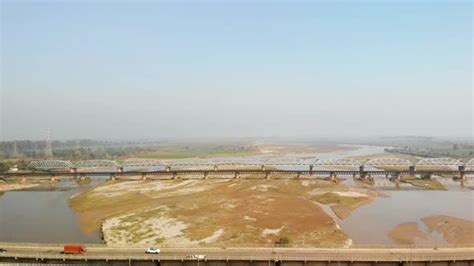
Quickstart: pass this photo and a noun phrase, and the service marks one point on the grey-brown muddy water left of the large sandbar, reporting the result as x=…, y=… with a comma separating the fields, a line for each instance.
x=43, y=216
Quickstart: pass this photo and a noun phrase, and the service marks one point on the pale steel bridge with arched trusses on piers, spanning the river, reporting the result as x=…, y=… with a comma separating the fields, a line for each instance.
x=389, y=167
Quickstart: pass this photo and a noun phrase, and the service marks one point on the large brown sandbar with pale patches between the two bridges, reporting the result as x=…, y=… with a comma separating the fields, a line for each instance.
x=214, y=212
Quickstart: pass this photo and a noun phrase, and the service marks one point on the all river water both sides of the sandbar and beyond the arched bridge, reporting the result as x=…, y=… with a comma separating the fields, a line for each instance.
x=45, y=216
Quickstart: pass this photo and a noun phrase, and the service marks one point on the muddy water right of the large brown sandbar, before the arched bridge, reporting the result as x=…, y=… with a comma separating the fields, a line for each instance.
x=371, y=223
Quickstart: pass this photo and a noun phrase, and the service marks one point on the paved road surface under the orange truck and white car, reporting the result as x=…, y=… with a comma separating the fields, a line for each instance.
x=98, y=252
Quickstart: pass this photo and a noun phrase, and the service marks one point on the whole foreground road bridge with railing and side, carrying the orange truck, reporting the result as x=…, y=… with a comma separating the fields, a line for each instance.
x=242, y=256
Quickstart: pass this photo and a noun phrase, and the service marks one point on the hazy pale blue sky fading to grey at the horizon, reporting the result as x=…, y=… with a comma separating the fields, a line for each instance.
x=91, y=69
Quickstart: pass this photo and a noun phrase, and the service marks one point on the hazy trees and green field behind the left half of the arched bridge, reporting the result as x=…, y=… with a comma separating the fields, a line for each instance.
x=90, y=150
